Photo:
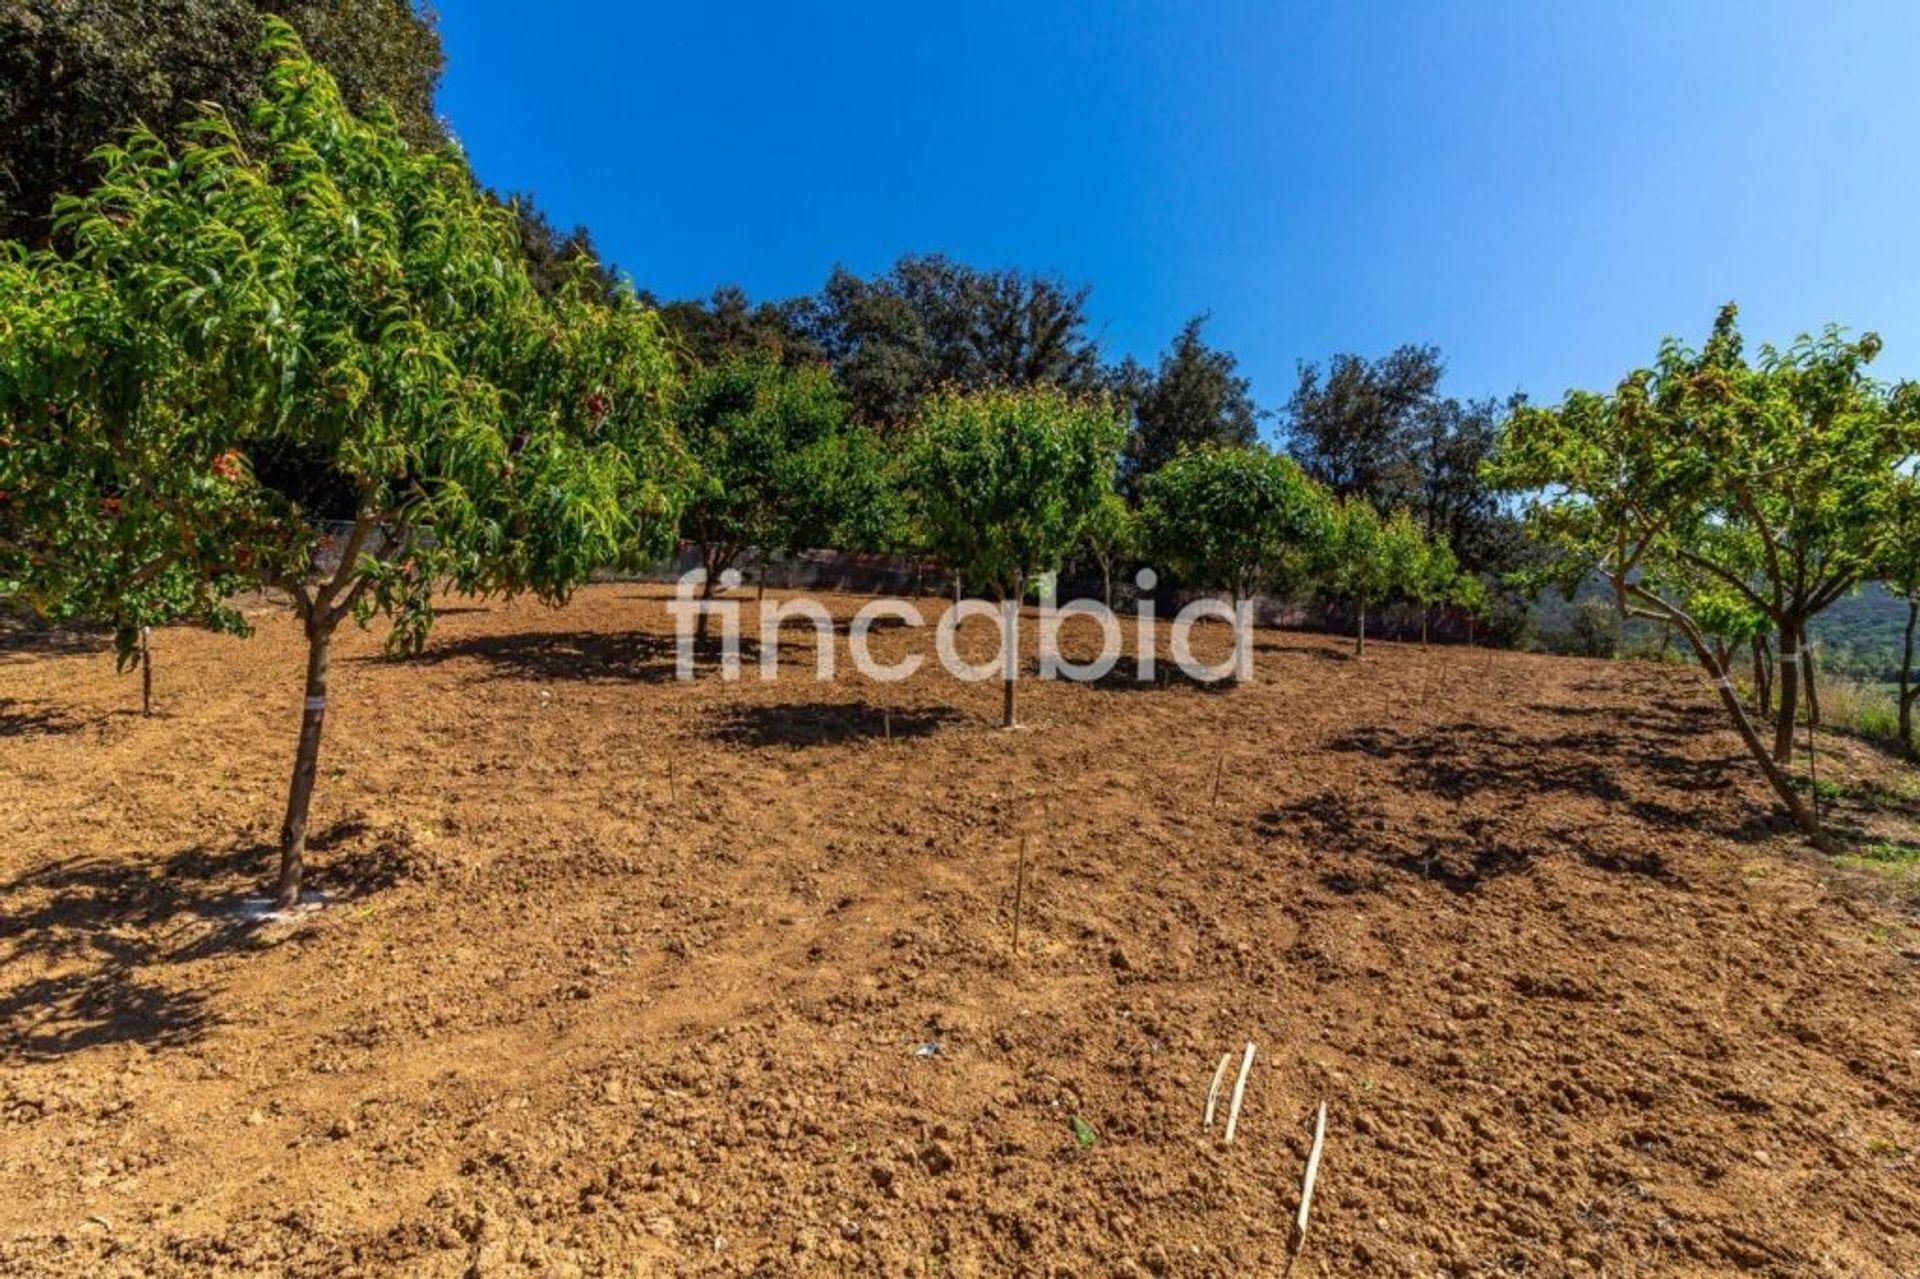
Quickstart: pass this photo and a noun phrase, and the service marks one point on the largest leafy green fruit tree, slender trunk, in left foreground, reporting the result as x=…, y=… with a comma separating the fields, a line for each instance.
x=329, y=326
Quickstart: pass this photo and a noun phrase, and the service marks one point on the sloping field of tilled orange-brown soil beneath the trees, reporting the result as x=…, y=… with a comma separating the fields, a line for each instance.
x=633, y=977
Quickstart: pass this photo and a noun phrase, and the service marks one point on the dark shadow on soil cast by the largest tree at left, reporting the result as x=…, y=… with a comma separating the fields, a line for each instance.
x=112, y=927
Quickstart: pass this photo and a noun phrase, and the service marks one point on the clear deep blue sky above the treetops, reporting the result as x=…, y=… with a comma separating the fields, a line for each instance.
x=1539, y=189
